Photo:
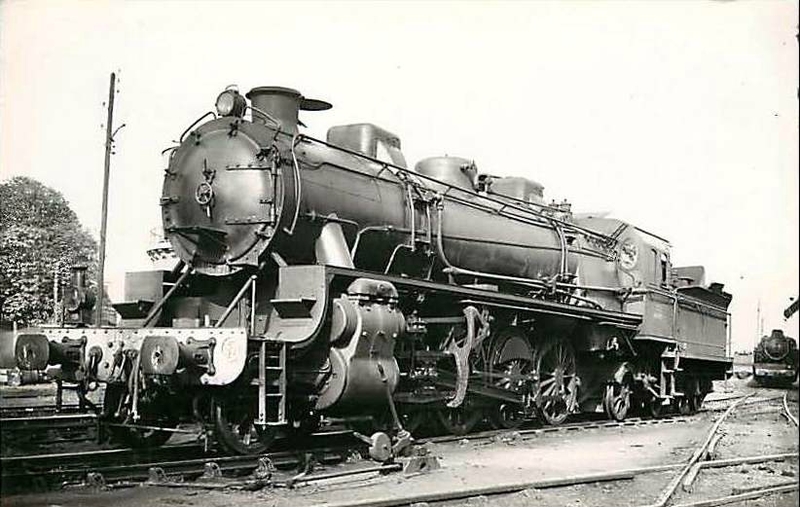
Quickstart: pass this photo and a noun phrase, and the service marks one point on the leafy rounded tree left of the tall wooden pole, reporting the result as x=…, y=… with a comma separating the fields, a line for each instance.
x=40, y=236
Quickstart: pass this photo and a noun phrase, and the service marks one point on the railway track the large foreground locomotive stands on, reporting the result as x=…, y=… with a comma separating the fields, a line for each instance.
x=187, y=461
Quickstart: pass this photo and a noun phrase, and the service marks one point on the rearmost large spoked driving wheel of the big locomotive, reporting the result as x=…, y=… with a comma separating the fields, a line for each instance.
x=558, y=381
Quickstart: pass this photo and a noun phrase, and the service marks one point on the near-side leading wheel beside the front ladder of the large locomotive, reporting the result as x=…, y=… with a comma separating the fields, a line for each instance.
x=235, y=428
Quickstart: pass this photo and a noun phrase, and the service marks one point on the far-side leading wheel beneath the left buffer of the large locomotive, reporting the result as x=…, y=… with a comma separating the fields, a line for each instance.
x=117, y=412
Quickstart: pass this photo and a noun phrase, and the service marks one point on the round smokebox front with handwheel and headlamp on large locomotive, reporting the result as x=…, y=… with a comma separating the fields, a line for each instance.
x=221, y=196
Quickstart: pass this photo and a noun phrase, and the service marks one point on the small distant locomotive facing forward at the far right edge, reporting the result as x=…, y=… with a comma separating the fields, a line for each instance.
x=775, y=359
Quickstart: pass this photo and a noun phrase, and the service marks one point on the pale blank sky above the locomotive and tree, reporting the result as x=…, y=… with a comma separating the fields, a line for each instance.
x=680, y=117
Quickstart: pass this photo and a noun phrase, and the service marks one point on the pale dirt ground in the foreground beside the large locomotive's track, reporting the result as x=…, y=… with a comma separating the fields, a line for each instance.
x=753, y=430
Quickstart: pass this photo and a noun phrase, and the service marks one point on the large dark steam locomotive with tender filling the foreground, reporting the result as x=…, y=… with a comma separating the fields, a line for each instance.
x=328, y=278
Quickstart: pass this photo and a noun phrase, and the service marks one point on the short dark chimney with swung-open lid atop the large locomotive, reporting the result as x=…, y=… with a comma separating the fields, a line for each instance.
x=281, y=104
